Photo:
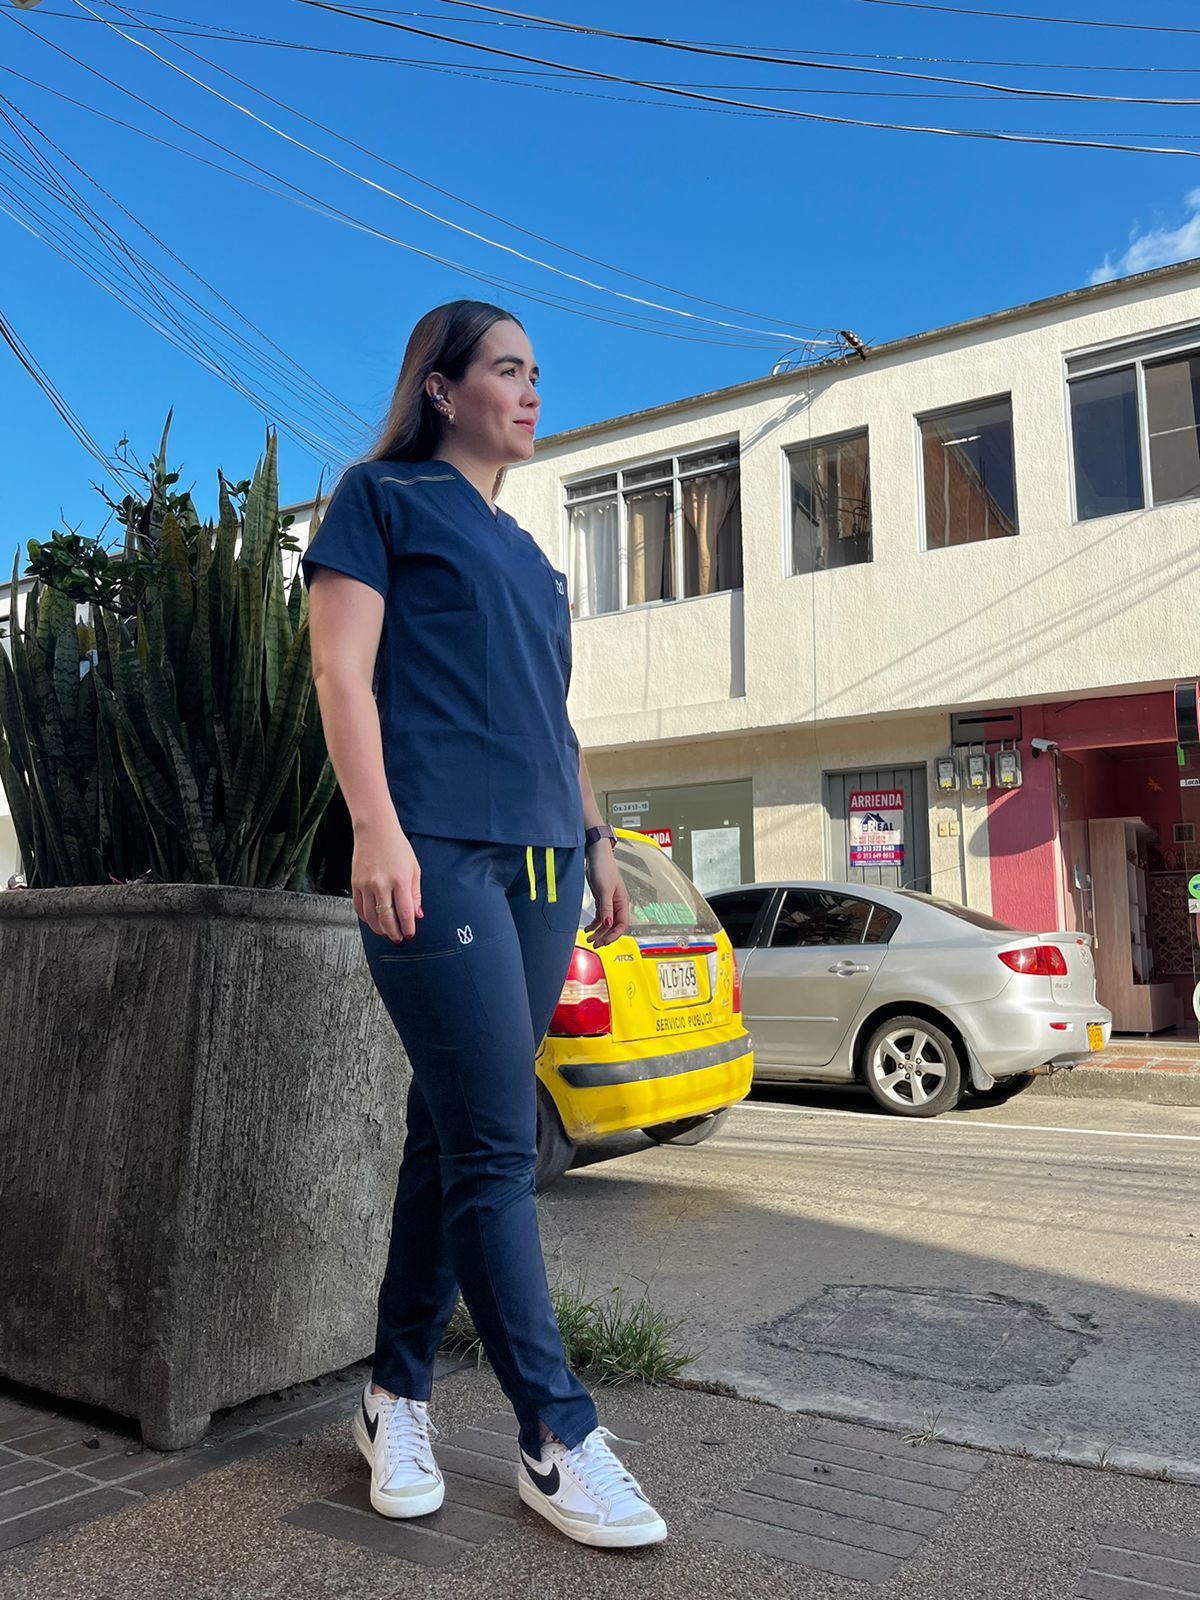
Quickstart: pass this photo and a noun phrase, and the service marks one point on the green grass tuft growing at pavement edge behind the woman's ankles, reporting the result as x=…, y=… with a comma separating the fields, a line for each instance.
x=615, y=1338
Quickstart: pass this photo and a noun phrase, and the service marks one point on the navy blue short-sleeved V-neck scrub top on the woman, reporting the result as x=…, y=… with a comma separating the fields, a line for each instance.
x=474, y=657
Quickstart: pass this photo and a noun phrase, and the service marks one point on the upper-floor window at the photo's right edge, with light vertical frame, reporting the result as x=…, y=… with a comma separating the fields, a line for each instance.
x=1135, y=422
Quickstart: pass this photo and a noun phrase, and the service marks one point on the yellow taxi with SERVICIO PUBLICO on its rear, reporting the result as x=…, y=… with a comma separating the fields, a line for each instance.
x=649, y=1031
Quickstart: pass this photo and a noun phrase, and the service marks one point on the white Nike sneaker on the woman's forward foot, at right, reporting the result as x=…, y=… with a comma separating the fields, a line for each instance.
x=590, y=1495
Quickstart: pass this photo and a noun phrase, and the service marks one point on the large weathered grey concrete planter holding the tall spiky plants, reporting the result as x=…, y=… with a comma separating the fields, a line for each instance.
x=201, y=1127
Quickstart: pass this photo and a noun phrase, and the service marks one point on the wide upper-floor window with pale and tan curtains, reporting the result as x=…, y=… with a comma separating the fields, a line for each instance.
x=666, y=530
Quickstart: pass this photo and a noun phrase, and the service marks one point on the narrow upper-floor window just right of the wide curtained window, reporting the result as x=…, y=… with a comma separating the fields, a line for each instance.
x=831, y=503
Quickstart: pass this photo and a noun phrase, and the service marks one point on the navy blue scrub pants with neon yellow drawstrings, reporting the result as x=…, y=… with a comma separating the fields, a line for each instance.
x=471, y=998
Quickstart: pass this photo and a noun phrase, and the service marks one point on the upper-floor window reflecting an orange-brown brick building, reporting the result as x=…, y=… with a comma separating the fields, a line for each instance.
x=967, y=465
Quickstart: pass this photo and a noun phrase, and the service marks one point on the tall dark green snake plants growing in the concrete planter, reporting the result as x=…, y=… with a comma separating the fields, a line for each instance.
x=174, y=734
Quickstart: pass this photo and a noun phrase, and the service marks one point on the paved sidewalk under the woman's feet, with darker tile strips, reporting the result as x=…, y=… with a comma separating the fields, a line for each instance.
x=761, y=1503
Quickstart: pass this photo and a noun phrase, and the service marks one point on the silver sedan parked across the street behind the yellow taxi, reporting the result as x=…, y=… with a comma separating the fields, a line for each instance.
x=913, y=996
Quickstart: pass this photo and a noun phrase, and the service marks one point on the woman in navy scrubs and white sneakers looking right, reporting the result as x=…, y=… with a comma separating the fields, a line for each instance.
x=442, y=658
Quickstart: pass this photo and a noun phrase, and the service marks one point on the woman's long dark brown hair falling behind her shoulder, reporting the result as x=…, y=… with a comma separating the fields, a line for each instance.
x=444, y=342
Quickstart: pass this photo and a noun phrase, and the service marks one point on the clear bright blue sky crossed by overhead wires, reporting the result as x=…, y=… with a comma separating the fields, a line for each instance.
x=806, y=223
